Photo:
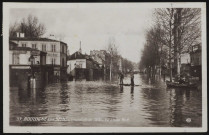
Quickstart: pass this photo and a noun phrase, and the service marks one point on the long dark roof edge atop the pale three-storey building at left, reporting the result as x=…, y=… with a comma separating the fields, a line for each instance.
x=35, y=39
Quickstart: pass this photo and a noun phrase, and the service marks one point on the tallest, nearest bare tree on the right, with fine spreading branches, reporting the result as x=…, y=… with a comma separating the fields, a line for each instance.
x=182, y=30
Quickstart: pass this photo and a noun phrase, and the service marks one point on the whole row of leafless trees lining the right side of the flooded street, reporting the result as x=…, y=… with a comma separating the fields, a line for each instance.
x=174, y=32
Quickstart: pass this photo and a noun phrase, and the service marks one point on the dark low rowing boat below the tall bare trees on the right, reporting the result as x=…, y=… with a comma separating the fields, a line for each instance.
x=178, y=85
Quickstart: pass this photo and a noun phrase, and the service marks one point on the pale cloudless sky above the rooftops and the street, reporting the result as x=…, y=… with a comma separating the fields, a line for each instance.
x=94, y=26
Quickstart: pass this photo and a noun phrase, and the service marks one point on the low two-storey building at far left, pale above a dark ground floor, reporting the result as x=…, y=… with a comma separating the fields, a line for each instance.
x=22, y=68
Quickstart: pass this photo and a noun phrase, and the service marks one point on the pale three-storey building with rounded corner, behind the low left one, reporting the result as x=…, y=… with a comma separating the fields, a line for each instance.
x=56, y=58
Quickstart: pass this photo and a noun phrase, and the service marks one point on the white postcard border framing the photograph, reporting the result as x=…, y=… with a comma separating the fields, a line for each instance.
x=23, y=129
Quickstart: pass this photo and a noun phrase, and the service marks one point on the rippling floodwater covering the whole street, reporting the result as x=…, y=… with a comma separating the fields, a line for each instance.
x=100, y=104
